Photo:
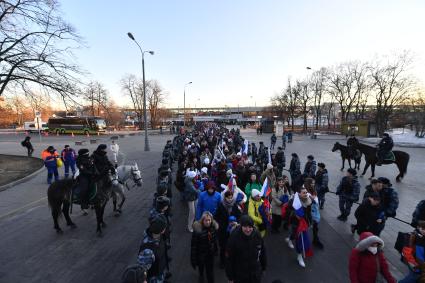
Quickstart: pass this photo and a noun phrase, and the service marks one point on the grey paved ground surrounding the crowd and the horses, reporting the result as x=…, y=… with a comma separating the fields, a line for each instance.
x=33, y=252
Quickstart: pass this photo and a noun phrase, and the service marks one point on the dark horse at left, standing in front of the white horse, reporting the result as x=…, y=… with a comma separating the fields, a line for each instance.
x=59, y=198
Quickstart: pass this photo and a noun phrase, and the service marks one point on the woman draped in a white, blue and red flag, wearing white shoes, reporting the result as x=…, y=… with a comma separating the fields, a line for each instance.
x=300, y=219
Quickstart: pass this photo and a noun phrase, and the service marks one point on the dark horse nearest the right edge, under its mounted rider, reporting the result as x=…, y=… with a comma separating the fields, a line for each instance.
x=401, y=159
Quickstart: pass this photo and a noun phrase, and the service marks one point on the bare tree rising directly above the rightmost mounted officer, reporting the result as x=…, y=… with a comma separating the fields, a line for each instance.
x=391, y=84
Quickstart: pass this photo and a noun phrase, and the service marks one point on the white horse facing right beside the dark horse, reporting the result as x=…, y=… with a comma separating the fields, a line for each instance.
x=124, y=174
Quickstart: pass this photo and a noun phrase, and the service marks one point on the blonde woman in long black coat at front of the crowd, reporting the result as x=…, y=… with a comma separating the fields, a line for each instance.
x=203, y=246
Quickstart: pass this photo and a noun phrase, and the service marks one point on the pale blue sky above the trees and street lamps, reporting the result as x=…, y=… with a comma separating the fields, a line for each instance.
x=234, y=50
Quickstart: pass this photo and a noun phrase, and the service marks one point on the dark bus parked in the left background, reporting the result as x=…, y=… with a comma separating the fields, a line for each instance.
x=76, y=125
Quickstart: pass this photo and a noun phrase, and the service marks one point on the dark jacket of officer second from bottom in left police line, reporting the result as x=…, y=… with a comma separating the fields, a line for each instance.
x=158, y=247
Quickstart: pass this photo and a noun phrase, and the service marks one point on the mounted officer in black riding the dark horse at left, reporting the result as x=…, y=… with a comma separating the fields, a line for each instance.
x=85, y=179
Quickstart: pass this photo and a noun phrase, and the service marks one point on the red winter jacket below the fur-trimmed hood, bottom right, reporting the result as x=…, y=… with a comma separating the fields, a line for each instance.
x=363, y=266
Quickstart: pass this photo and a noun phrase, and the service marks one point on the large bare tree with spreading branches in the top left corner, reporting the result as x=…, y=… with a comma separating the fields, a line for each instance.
x=36, y=47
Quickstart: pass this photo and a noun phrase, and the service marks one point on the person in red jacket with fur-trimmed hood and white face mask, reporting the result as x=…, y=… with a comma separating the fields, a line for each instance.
x=367, y=262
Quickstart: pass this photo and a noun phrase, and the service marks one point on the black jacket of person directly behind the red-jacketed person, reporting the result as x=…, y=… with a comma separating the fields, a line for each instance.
x=367, y=216
